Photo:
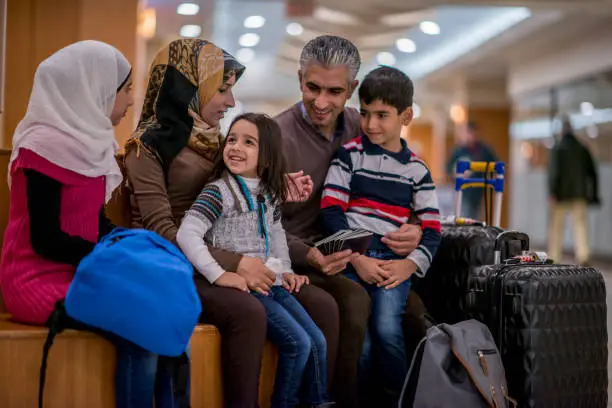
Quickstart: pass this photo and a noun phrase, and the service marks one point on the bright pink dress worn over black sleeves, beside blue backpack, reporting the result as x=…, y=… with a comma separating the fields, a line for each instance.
x=31, y=284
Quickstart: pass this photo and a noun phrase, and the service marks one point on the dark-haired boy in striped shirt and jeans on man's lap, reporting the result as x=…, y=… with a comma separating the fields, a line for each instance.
x=376, y=183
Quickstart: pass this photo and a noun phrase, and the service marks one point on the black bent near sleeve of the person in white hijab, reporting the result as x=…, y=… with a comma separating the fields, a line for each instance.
x=47, y=238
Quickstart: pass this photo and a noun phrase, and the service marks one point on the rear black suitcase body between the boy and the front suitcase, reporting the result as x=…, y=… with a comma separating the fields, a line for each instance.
x=443, y=288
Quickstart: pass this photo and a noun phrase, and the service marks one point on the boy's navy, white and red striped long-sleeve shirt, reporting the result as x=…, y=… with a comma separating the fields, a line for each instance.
x=371, y=188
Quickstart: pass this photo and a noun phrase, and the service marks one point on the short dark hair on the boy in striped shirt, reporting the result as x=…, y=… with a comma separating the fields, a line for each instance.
x=389, y=85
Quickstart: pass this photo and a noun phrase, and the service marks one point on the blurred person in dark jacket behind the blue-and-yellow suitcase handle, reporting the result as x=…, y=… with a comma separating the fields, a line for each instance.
x=470, y=148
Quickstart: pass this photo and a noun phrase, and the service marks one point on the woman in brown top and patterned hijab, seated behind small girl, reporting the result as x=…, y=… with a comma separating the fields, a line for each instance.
x=168, y=161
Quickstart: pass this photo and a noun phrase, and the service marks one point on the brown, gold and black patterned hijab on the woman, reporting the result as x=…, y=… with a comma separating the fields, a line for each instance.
x=183, y=74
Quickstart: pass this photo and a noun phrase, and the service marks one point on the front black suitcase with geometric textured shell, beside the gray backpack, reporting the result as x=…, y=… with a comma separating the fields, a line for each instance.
x=549, y=323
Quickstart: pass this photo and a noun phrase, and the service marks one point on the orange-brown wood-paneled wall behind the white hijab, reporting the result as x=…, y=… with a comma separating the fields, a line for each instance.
x=38, y=28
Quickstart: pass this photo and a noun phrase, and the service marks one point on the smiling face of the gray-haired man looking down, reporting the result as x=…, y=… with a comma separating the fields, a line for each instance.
x=325, y=91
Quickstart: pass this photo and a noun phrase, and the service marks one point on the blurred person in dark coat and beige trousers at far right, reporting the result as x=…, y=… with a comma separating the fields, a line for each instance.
x=572, y=186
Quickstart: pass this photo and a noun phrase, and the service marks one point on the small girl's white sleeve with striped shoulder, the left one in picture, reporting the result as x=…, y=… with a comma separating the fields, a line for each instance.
x=207, y=208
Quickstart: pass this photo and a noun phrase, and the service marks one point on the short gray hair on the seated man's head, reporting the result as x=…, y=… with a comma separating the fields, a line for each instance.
x=329, y=51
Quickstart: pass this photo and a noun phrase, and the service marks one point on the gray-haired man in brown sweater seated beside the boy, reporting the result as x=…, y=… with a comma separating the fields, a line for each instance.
x=313, y=130
